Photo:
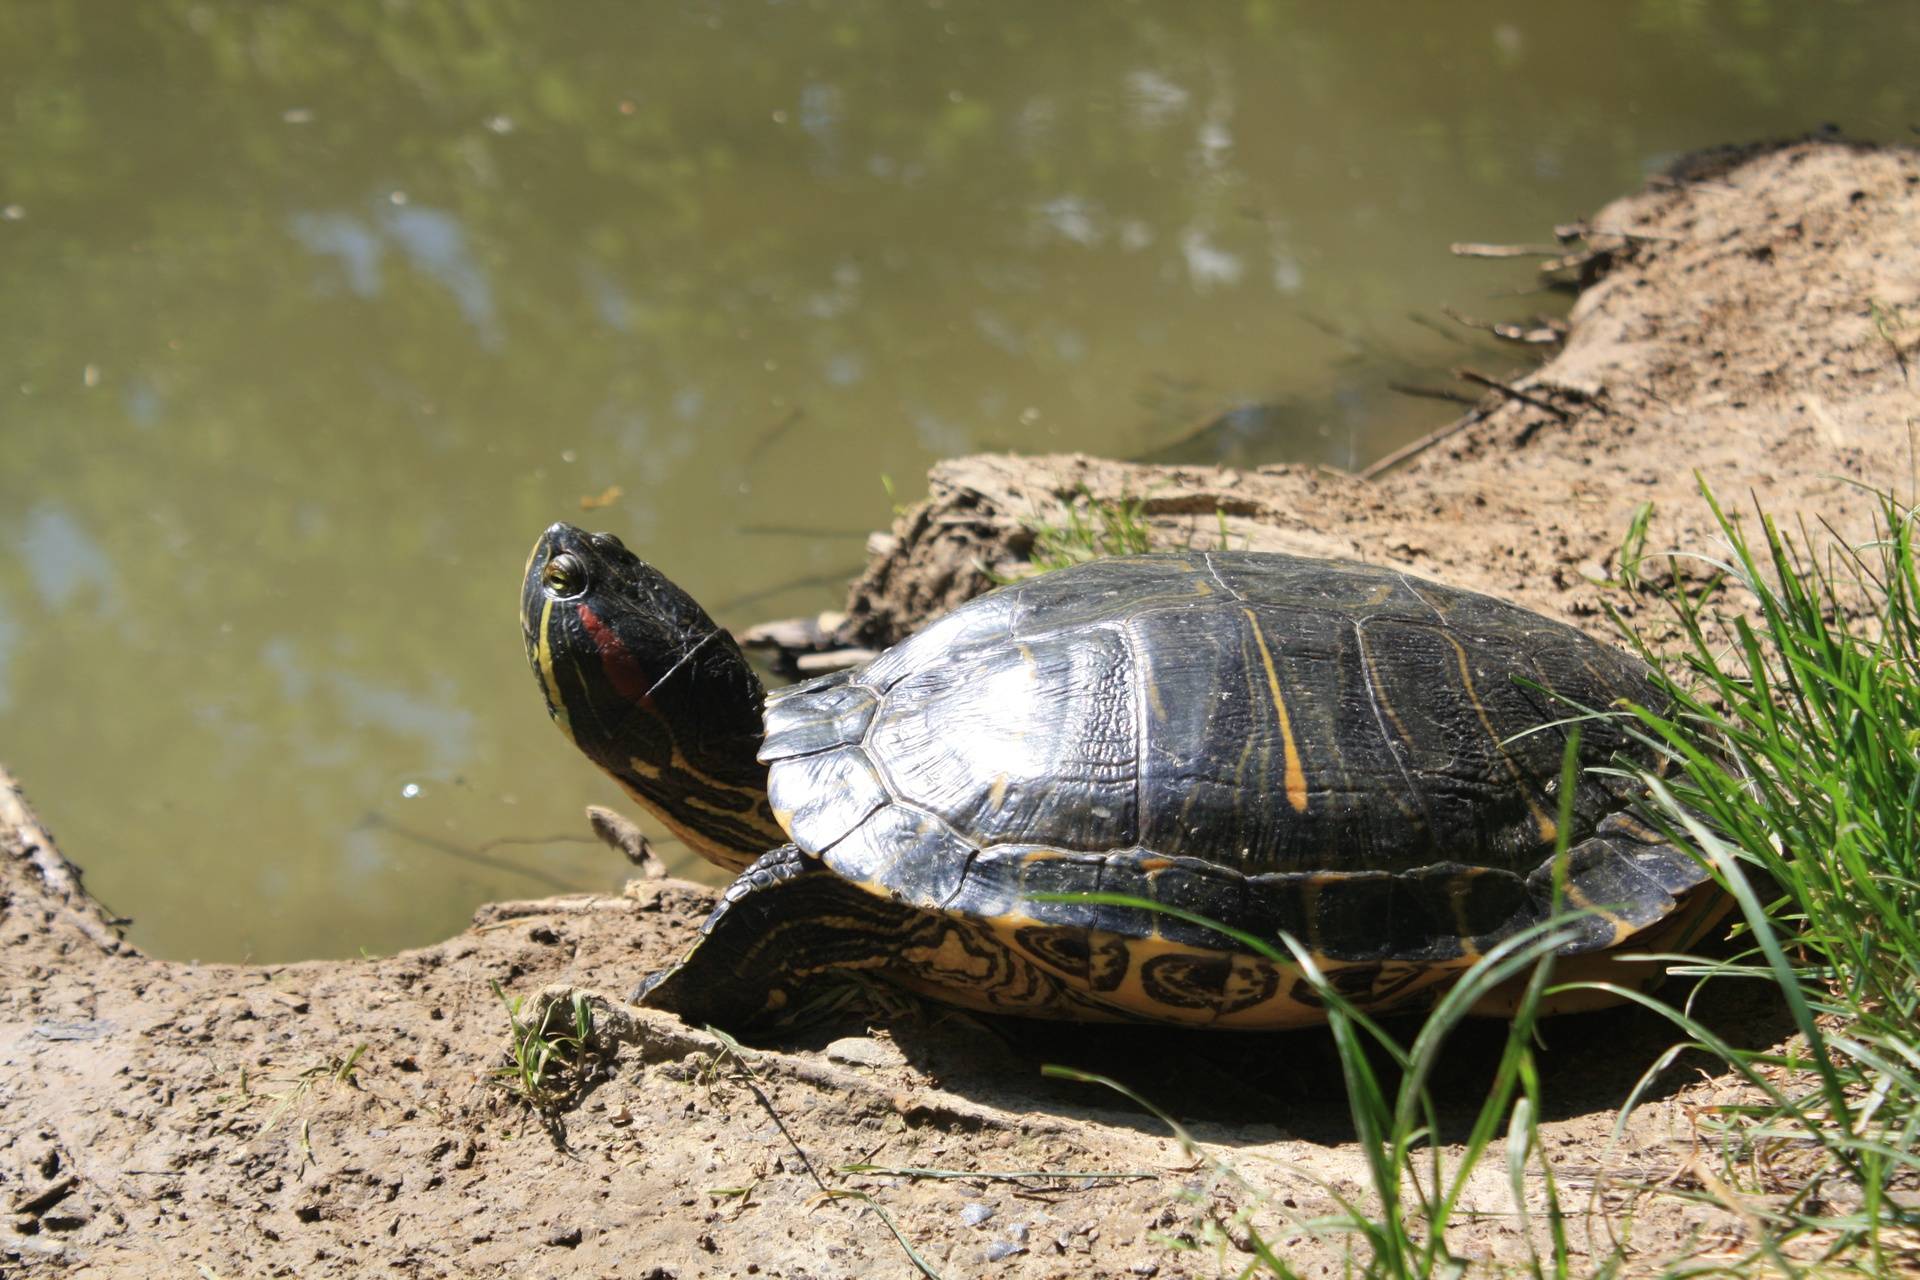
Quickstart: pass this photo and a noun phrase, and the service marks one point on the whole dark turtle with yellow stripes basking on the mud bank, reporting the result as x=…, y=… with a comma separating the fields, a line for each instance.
x=1335, y=751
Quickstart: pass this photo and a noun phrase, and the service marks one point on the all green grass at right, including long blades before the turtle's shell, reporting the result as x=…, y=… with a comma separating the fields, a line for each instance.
x=1794, y=774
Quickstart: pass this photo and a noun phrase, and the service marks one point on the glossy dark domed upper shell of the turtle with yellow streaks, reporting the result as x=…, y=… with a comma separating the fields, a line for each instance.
x=1335, y=751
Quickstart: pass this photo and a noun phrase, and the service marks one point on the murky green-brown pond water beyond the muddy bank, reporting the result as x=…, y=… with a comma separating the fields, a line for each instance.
x=316, y=314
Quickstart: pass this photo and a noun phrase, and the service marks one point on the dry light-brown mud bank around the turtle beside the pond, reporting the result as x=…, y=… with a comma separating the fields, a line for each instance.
x=337, y=1118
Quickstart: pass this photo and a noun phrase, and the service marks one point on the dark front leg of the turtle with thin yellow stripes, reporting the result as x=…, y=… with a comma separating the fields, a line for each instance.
x=784, y=930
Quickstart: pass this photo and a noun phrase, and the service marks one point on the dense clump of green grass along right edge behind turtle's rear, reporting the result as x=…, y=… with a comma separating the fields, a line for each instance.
x=1796, y=749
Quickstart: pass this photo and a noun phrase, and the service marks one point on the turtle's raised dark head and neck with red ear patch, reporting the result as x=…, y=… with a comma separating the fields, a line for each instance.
x=652, y=690
